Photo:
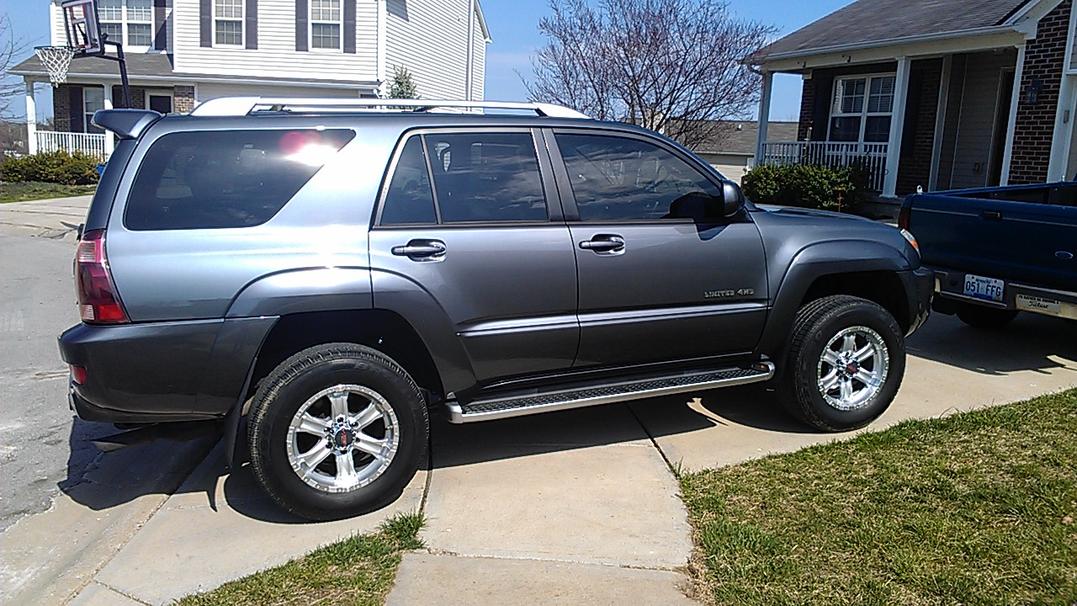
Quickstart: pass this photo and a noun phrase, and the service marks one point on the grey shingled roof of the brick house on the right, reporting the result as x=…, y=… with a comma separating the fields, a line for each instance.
x=883, y=21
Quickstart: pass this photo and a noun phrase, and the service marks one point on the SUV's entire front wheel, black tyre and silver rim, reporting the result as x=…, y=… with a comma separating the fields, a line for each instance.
x=845, y=363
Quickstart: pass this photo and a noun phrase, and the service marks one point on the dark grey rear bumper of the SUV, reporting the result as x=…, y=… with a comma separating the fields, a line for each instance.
x=162, y=372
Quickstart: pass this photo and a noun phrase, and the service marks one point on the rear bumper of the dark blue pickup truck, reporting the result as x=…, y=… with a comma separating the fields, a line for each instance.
x=949, y=292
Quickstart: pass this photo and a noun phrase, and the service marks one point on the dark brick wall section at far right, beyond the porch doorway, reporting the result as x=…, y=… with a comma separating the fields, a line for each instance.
x=1036, y=122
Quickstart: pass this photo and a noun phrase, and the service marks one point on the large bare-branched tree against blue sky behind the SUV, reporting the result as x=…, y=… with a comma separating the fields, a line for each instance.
x=673, y=66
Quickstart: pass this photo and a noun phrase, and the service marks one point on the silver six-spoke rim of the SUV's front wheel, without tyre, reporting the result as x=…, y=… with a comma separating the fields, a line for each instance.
x=854, y=369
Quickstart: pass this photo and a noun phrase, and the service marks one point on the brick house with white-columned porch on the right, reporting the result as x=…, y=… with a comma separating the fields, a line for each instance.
x=934, y=94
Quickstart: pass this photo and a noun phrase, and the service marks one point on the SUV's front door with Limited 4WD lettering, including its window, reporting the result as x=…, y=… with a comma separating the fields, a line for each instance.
x=661, y=279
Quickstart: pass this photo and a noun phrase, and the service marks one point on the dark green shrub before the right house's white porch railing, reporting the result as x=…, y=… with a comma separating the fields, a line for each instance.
x=807, y=186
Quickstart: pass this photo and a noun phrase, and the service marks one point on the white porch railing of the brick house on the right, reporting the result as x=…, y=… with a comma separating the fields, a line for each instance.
x=871, y=157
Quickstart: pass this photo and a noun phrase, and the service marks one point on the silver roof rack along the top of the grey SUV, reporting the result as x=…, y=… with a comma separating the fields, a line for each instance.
x=251, y=106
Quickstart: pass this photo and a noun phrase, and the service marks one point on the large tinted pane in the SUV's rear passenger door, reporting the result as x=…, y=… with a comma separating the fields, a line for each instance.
x=487, y=177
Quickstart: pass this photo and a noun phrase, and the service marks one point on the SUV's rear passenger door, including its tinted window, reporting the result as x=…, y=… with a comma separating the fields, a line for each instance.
x=486, y=244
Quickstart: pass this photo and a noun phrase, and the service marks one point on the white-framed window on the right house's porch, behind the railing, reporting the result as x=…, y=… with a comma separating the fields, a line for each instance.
x=863, y=109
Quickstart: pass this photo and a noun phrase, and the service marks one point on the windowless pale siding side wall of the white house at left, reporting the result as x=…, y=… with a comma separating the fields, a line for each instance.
x=440, y=68
